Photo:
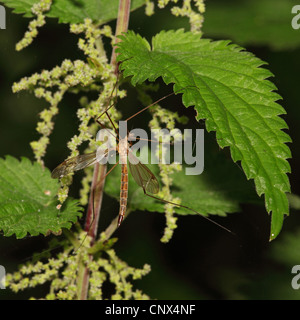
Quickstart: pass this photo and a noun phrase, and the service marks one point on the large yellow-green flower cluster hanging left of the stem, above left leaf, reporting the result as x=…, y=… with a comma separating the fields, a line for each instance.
x=75, y=76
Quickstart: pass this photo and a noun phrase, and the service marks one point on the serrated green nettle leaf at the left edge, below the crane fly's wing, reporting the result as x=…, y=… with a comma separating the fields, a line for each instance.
x=28, y=200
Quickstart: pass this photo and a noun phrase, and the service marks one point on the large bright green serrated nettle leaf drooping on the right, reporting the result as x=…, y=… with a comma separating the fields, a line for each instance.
x=228, y=89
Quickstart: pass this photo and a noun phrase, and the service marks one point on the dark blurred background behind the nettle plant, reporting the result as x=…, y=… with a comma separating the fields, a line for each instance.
x=201, y=261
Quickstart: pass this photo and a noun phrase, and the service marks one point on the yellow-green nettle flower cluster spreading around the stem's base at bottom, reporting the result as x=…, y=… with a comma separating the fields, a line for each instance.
x=62, y=271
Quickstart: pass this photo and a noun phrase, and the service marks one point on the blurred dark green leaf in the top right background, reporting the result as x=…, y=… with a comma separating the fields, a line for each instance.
x=256, y=22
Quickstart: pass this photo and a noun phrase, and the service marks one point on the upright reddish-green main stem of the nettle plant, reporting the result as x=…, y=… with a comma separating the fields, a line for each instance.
x=96, y=195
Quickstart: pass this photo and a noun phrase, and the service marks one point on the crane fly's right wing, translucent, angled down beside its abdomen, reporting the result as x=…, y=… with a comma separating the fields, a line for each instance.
x=142, y=175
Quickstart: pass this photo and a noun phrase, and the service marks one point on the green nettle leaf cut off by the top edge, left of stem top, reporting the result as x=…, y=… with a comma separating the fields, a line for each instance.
x=74, y=11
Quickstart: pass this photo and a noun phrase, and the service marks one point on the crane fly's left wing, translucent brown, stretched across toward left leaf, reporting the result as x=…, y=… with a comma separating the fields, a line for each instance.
x=74, y=164
